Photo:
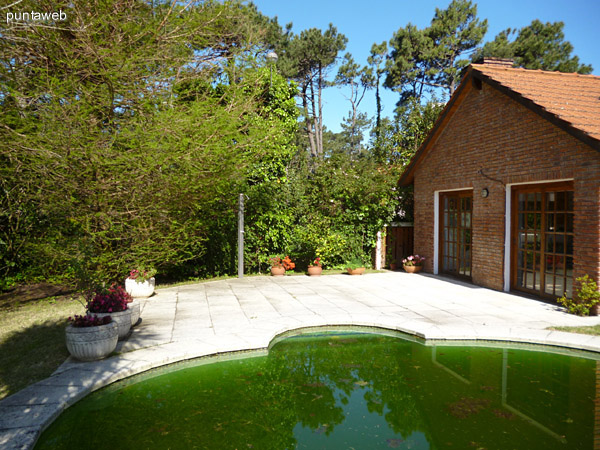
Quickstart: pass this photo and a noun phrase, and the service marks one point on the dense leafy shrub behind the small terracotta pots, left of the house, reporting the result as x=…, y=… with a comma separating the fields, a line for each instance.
x=345, y=200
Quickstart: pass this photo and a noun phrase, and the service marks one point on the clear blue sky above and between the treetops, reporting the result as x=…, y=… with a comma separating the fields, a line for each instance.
x=374, y=21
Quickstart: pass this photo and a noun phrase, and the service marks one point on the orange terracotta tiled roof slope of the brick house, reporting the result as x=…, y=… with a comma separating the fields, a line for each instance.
x=571, y=97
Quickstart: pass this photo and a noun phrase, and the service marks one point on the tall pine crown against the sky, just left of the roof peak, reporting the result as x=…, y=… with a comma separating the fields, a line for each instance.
x=422, y=60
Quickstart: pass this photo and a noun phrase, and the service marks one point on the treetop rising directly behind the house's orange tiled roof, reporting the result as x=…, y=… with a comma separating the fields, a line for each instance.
x=536, y=46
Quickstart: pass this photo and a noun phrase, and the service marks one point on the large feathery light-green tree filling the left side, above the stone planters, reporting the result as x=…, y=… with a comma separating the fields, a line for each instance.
x=127, y=132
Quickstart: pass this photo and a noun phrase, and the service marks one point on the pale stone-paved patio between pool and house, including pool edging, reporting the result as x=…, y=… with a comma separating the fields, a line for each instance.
x=217, y=317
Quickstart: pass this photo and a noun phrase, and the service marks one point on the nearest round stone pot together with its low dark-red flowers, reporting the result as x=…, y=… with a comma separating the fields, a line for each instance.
x=90, y=338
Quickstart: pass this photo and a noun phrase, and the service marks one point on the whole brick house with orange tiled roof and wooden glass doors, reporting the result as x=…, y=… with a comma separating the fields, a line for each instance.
x=507, y=183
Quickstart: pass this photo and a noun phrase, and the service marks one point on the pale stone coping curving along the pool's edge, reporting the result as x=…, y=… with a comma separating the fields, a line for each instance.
x=26, y=437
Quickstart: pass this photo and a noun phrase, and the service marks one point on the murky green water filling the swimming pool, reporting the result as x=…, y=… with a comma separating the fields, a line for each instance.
x=347, y=391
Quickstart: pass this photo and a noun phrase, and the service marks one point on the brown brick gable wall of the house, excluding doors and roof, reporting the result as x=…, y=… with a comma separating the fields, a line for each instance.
x=490, y=136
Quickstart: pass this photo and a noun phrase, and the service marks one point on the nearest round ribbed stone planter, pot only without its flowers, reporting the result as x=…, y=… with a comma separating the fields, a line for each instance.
x=92, y=343
